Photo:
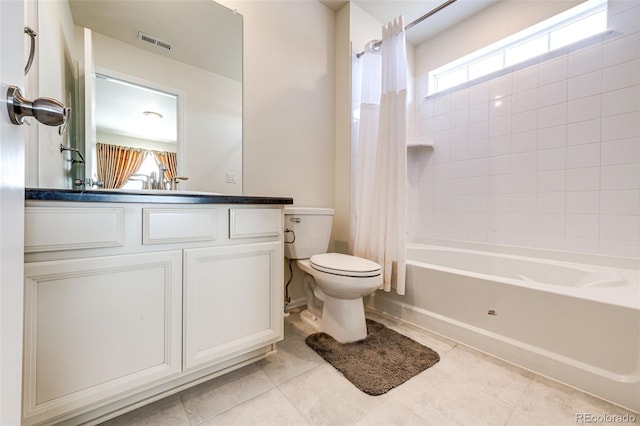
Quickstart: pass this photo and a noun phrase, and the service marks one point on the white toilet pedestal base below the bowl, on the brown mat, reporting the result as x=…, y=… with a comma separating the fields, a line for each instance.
x=343, y=319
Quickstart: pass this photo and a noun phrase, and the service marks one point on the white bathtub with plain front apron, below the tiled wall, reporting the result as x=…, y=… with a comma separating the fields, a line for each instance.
x=578, y=323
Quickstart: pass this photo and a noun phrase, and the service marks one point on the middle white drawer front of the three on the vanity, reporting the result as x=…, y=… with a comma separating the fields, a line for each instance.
x=179, y=225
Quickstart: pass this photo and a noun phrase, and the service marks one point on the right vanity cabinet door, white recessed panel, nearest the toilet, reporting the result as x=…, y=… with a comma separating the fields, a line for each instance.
x=232, y=301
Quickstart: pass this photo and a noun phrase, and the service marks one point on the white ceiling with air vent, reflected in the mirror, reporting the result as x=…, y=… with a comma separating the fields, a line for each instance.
x=201, y=32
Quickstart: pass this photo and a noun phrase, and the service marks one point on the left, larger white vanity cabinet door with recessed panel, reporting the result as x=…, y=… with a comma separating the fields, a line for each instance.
x=98, y=327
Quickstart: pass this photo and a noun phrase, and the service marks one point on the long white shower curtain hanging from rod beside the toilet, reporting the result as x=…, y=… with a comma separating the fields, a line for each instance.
x=381, y=162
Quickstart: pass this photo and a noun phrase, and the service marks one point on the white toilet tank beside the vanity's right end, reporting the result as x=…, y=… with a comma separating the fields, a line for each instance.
x=307, y=231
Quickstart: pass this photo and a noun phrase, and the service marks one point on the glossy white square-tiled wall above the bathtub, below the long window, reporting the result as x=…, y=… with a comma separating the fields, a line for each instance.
x=547, y=156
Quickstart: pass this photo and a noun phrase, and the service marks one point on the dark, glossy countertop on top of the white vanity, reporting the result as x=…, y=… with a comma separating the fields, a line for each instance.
x=164, y=197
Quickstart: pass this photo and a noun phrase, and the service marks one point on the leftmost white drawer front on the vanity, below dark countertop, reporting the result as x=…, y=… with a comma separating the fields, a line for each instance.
x=65, y=228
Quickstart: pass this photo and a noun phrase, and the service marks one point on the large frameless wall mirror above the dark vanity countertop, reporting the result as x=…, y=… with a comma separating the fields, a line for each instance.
x=157, y=77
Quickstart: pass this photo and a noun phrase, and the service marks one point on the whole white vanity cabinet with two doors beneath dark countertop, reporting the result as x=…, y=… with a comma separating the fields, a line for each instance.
x=128, y=302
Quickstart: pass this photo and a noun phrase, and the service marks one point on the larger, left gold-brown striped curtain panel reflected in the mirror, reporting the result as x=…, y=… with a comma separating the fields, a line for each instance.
x=117, y=163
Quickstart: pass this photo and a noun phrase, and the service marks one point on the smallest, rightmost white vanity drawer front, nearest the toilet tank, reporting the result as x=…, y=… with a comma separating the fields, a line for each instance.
x=251, y=223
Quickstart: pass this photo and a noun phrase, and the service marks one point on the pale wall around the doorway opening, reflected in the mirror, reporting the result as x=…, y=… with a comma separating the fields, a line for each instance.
x=212, y=141
